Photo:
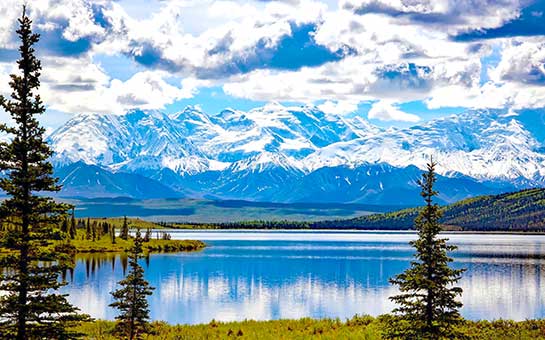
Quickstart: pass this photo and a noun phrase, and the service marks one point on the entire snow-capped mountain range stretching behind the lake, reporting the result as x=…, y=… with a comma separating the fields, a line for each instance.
x=288, y=154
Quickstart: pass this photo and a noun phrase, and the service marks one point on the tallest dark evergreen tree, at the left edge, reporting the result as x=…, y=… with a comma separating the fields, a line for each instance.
x=30, y=307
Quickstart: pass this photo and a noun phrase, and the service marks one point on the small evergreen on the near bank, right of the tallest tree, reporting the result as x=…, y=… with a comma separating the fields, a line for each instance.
x=131, y=298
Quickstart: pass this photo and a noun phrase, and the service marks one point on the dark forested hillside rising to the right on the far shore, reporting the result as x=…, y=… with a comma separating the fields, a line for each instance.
x=516, y=211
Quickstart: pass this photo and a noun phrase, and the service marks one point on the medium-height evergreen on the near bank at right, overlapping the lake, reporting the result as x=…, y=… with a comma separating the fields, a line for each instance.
x=427, y=305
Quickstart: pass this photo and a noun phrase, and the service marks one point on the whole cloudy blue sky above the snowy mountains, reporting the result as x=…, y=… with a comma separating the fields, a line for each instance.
x=394, y=62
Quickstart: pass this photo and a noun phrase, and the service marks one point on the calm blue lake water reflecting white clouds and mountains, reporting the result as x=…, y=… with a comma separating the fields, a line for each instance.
x=292, y=274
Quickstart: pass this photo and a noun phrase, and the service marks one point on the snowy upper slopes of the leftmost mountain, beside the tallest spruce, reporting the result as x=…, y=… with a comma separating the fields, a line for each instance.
x=138, y=139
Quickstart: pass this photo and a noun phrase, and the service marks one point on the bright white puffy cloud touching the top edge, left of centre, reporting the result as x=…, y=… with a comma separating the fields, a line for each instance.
x=233, y=31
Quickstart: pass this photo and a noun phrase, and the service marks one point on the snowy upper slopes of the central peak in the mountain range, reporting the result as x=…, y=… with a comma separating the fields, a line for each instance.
x=291, y=131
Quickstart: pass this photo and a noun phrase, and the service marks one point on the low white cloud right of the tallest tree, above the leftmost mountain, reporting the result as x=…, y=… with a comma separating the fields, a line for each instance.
x=76, y=85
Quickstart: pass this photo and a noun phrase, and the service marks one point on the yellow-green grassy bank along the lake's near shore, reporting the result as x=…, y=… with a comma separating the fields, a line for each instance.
x=359, y=327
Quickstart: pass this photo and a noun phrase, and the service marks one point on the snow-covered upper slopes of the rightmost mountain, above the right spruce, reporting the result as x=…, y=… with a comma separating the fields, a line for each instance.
x=481, y=144
